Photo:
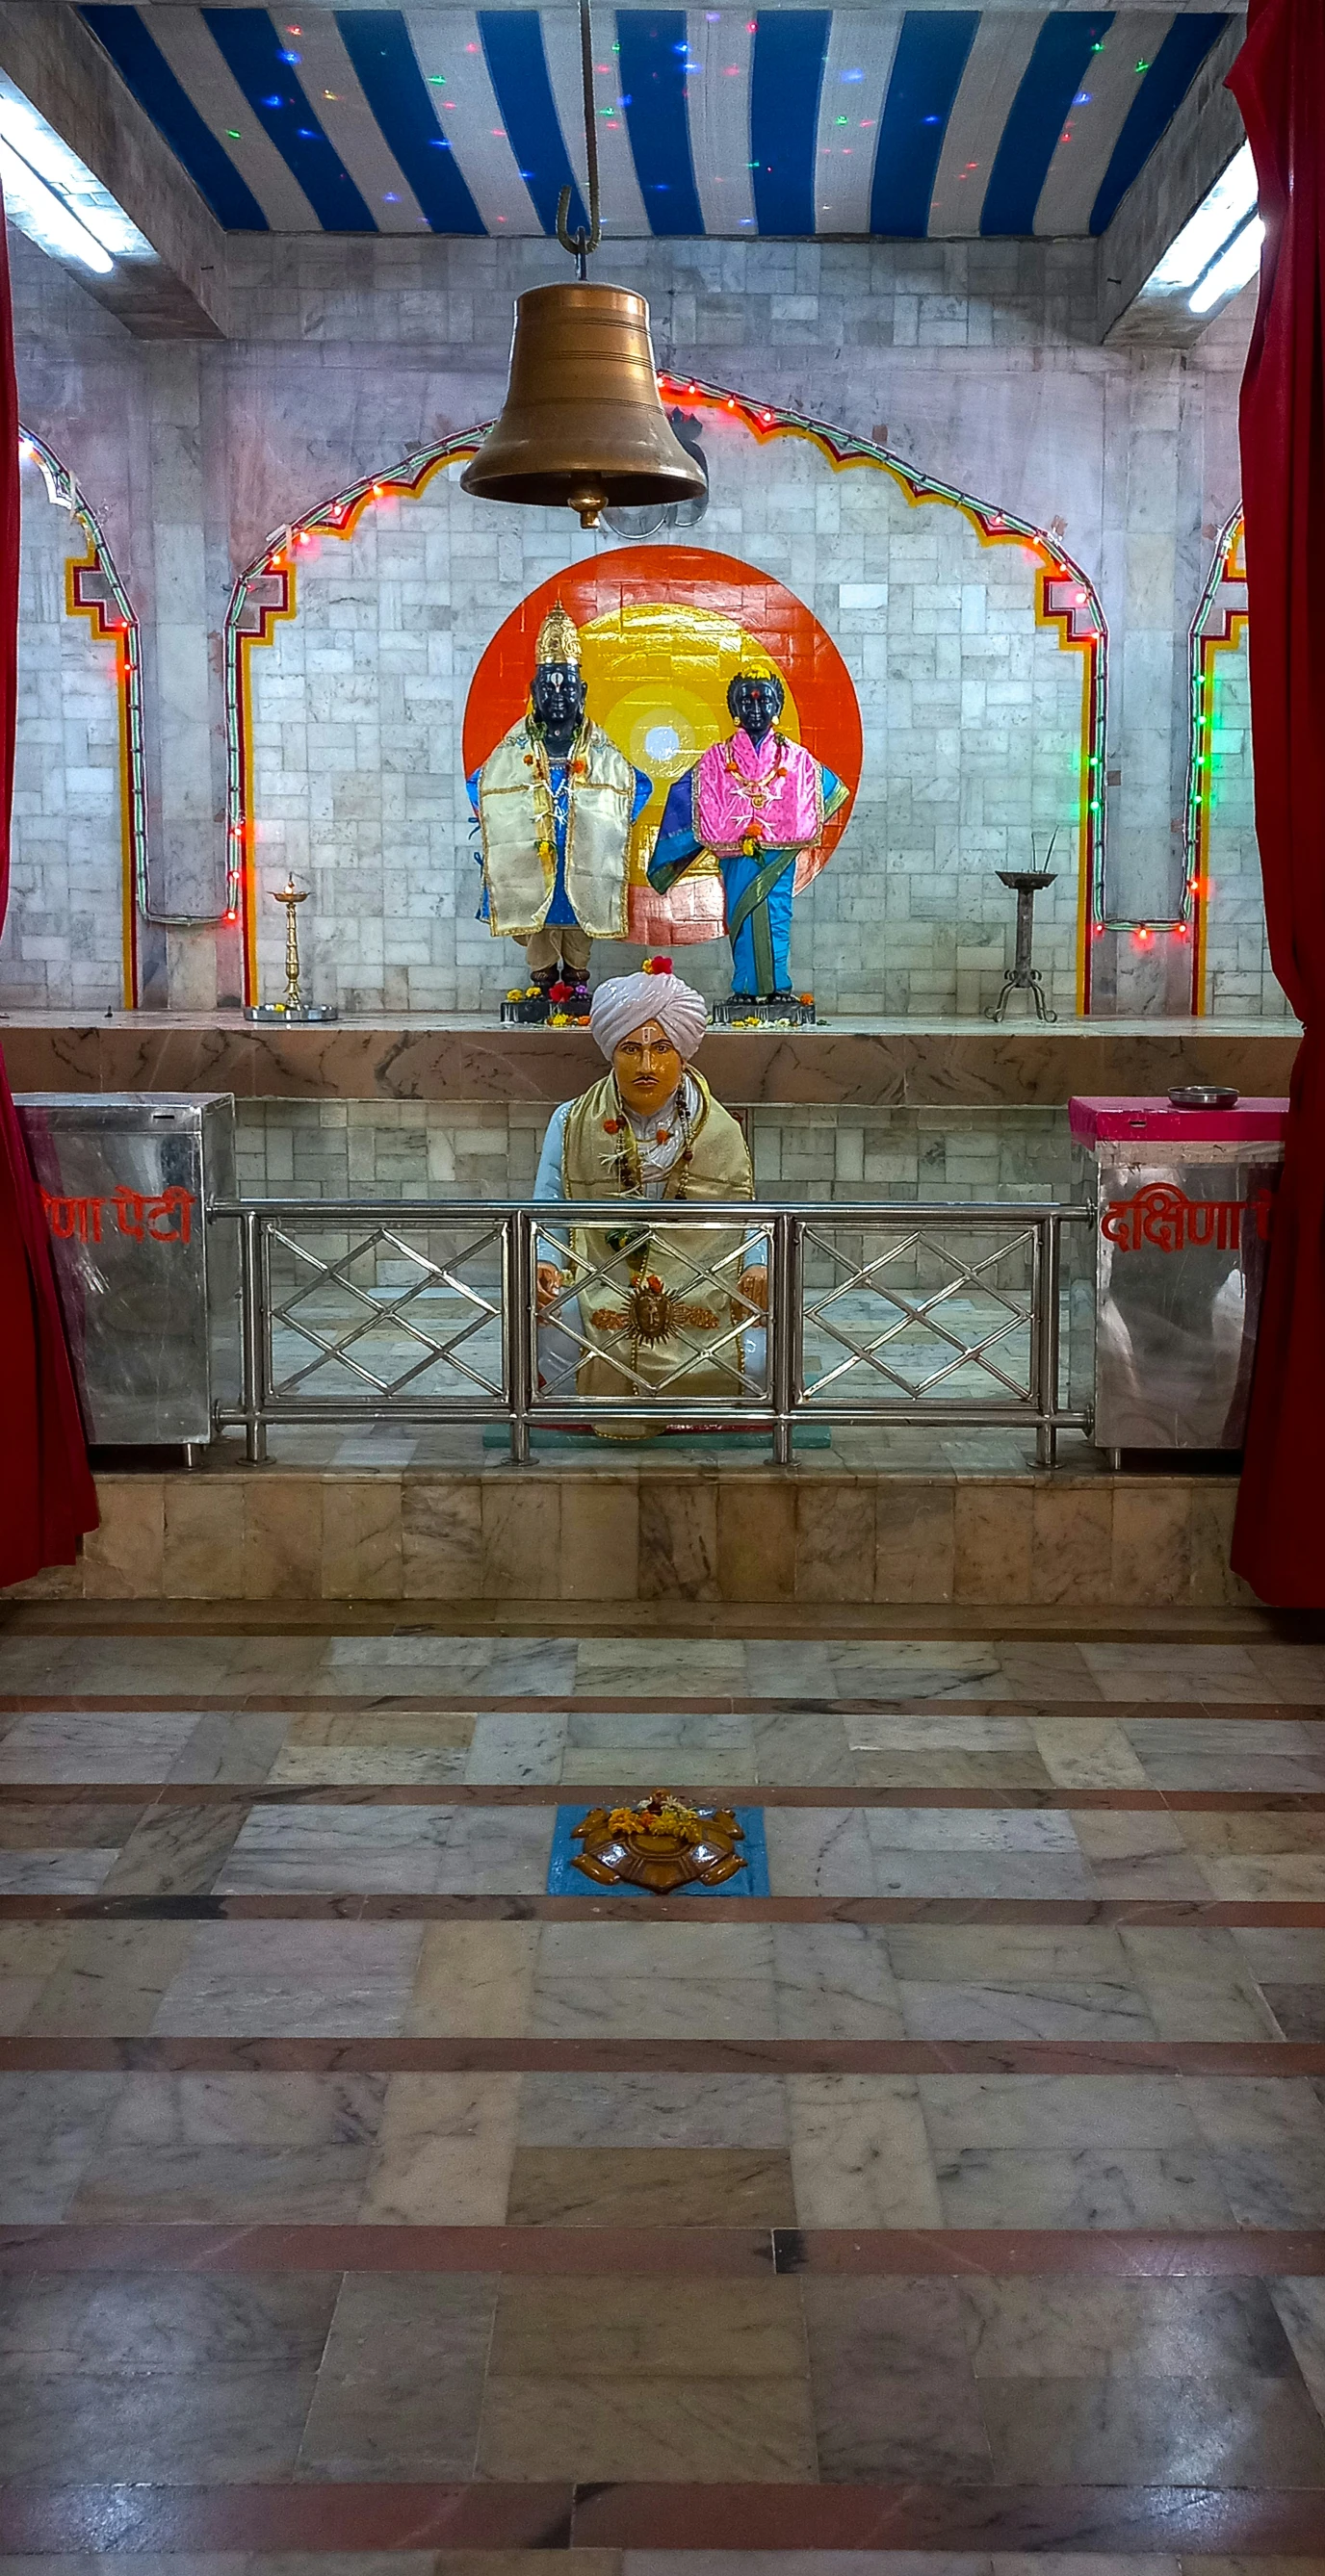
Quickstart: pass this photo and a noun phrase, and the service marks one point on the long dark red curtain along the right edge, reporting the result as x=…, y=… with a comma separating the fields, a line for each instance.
x=1280, y=84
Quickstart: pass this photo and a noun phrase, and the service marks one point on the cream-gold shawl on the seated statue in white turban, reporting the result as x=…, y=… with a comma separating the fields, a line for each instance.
x=638, y=1297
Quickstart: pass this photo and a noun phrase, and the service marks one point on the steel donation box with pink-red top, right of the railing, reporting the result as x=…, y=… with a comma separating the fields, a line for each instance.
x=1185, y=1204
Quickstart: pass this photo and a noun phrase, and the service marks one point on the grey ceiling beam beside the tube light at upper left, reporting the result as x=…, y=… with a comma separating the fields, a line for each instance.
x=182, y=287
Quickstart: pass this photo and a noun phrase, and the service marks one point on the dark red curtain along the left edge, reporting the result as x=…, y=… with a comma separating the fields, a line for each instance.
x=48, y=1493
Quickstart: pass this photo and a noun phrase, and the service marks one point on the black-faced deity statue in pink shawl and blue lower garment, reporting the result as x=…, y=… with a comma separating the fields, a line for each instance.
x=759, y=805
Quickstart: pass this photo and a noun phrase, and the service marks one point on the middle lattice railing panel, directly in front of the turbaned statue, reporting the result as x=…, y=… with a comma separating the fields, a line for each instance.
x=731, y=1349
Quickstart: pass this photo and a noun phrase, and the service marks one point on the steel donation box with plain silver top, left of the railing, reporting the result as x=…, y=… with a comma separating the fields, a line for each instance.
x=151, y=1292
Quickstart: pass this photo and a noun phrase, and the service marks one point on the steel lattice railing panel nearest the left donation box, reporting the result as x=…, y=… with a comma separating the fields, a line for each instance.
x=380, y=1318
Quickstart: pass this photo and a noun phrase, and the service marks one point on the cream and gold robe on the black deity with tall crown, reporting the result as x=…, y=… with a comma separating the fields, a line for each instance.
x=556, y=833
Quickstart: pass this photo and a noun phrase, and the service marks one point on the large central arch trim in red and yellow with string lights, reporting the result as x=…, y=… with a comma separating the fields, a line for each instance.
x=1063, y=599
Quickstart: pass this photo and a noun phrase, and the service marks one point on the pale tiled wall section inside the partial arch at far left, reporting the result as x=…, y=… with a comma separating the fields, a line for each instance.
x=63, y=934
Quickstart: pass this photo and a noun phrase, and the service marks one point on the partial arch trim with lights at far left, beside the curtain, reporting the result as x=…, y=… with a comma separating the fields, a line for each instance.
x=94, y=591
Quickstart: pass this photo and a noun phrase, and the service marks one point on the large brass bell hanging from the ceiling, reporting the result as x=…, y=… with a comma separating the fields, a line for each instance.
x=581, y=424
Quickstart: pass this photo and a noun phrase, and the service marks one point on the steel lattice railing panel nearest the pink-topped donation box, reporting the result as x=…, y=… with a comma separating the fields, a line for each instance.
x=916, y=1320
